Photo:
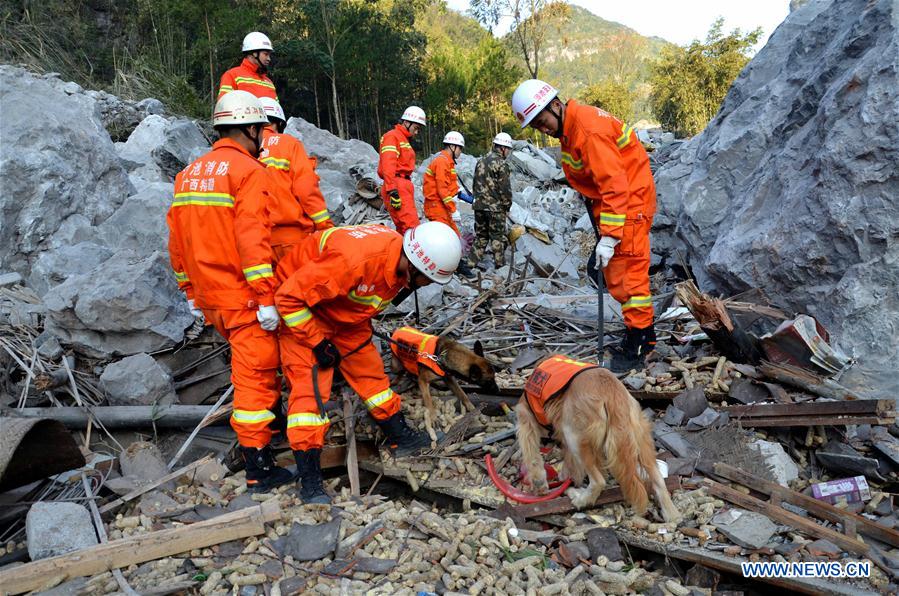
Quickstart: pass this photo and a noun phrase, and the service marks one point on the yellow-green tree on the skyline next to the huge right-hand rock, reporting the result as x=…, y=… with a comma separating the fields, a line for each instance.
x=689, y=83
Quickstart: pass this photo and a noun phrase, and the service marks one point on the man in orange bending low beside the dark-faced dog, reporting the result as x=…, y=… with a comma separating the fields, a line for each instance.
x=331, y=287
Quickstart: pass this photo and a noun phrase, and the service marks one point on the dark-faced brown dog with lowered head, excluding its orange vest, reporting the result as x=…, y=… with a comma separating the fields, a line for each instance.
x=452, y=357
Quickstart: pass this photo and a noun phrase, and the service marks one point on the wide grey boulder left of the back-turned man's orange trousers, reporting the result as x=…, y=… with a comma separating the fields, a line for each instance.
x=125, y=305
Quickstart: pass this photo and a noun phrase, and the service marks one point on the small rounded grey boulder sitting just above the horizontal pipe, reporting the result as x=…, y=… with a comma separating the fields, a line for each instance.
x=137, y=381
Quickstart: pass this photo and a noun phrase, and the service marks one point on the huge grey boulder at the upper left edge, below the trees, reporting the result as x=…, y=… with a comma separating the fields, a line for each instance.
x=53, y=166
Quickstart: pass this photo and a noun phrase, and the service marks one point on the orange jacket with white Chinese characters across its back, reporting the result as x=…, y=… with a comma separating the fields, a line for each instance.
x=219, y=231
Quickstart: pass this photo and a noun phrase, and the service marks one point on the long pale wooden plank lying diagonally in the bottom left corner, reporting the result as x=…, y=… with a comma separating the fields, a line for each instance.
x=138, y=549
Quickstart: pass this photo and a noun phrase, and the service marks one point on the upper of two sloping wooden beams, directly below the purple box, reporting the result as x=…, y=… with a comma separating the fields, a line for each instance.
x=817, y=508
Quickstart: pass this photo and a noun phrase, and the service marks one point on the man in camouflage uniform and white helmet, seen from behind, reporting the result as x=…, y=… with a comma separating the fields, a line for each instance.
x=493, y=198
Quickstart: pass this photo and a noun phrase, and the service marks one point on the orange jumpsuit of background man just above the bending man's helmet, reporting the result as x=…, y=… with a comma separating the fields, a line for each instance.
x=395, y=168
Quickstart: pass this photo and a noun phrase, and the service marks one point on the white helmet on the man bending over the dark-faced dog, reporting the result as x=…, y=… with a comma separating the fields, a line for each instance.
x=434, y=249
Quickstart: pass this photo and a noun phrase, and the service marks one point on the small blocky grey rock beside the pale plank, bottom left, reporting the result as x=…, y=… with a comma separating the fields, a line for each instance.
x=56, y=528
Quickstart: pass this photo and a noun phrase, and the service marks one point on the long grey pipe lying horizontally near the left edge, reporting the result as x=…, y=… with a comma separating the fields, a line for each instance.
x=117, y=417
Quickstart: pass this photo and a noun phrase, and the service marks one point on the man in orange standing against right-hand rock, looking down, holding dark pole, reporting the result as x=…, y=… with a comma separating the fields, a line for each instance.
x=605, y=162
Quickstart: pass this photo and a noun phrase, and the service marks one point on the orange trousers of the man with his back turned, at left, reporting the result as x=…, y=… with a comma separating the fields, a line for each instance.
x=254, y=374
